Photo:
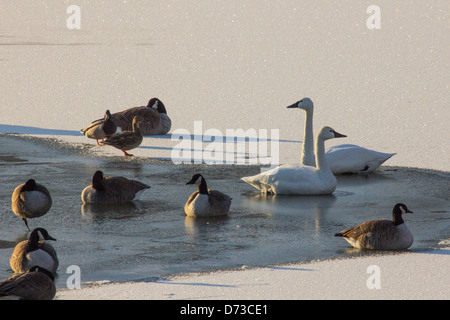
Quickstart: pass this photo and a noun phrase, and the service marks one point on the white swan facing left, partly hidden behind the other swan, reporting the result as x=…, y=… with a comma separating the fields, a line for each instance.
x=345, y=158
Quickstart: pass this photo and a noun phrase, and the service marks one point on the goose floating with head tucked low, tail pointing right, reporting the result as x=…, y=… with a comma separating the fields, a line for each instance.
x=112, y=189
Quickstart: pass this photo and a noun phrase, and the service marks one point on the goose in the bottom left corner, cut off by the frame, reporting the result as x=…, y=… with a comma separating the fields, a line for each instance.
x=35, y=284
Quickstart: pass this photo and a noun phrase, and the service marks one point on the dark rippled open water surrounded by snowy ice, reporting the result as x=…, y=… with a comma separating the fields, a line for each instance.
x=152, y=237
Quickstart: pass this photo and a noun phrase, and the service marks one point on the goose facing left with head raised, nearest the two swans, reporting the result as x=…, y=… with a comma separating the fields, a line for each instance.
x=206, y=202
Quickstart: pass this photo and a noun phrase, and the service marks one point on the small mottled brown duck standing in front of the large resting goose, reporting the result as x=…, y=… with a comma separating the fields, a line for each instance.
x=127, y=140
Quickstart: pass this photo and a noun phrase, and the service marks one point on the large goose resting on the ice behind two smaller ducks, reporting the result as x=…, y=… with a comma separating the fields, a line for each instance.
x=156, y=120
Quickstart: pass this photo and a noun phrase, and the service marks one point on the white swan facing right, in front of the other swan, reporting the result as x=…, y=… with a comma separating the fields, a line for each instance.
x=300, y=179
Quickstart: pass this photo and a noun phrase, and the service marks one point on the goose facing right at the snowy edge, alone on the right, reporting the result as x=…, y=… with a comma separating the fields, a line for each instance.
x=381, y=234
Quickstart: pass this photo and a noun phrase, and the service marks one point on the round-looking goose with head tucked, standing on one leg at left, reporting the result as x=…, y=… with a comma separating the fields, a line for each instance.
x=30, y=200
